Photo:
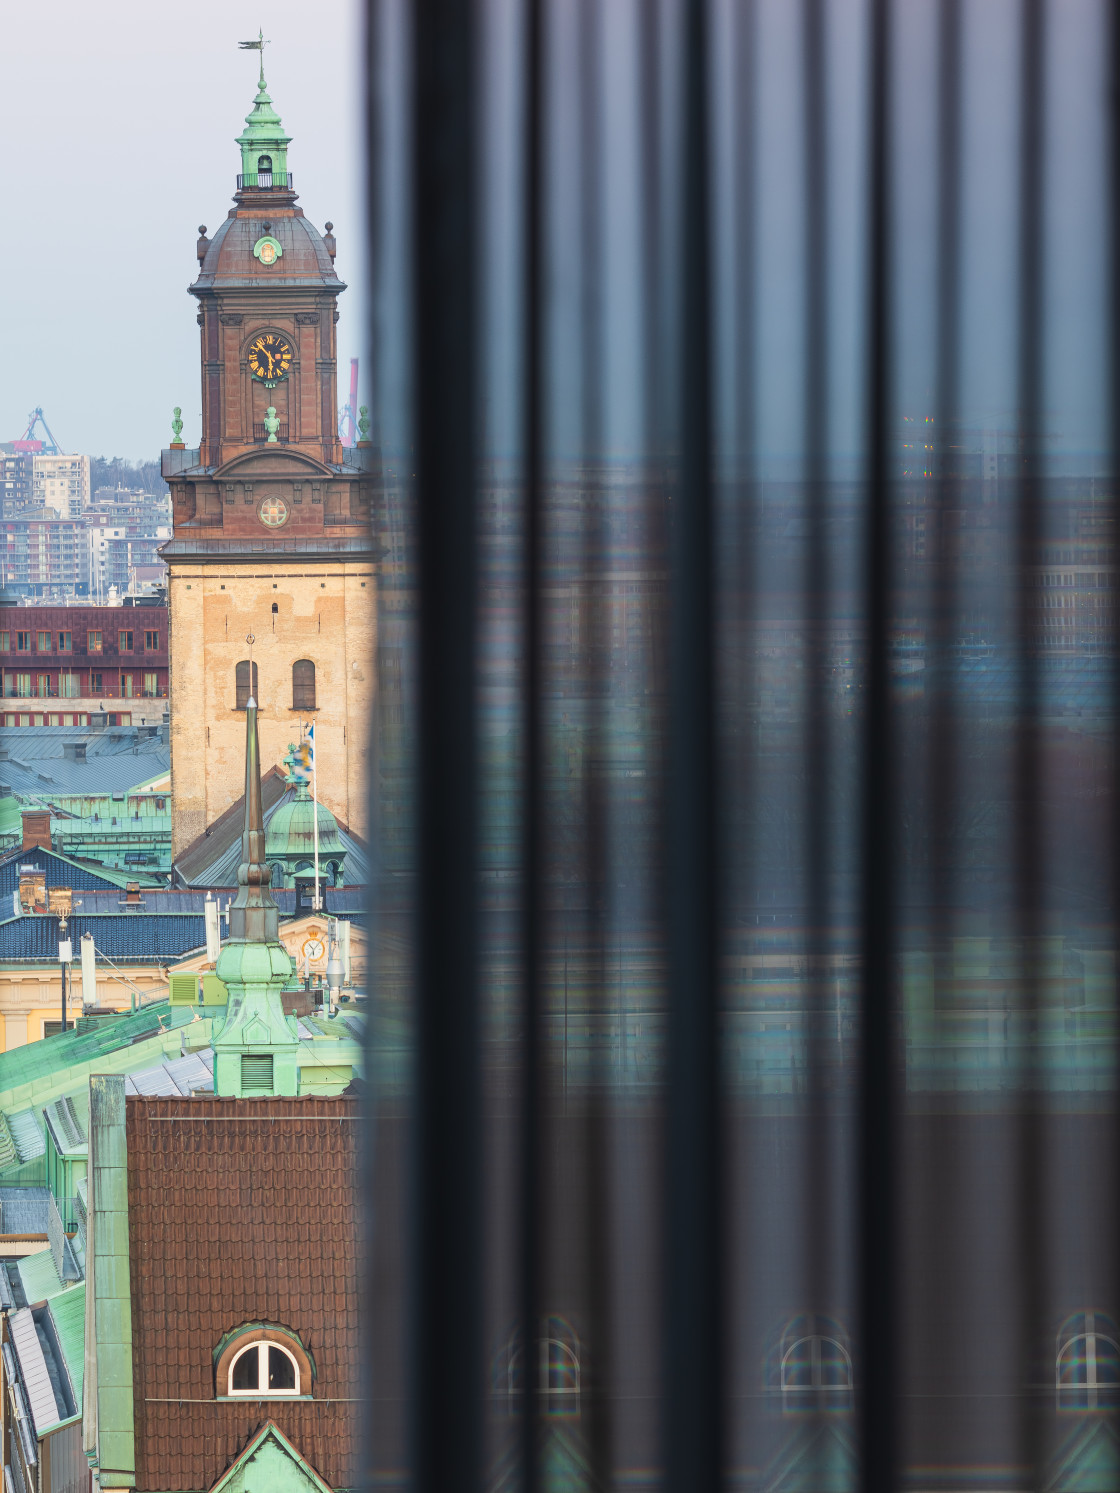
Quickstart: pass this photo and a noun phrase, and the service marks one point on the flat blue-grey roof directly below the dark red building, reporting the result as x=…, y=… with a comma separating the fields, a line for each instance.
x=116, y=761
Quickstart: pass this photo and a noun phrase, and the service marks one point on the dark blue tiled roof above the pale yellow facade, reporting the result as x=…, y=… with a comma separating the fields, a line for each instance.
x=128, y=938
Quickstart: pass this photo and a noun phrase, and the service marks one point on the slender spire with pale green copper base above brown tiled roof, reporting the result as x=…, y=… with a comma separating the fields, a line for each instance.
x=255, y=1055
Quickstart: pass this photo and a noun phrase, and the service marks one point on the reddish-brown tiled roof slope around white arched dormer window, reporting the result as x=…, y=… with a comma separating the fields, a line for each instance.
x=241, y=1210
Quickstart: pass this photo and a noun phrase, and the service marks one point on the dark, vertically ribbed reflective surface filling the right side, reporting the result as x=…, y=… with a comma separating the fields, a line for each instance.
x=743, y=1013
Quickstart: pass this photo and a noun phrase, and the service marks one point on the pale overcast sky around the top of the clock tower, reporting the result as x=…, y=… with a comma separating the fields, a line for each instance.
x=117, y=129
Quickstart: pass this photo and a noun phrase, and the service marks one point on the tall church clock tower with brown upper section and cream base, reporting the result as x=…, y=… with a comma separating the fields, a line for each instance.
x=271, y=514
